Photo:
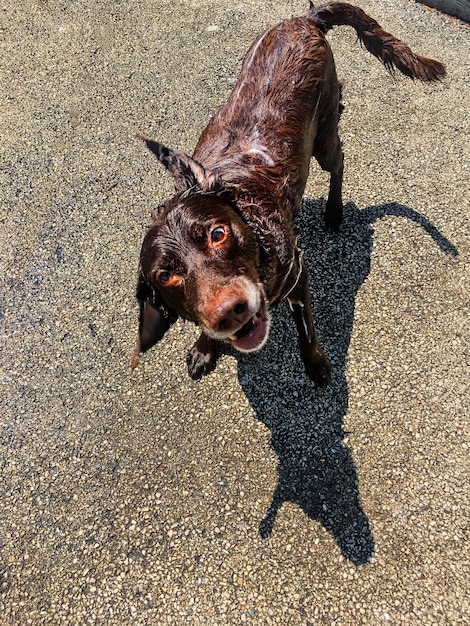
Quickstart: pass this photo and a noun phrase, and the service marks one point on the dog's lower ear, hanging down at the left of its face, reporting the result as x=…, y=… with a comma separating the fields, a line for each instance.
x=154, y=318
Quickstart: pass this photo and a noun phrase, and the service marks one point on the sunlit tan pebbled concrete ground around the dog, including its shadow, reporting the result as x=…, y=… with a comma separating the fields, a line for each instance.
x=249, y=497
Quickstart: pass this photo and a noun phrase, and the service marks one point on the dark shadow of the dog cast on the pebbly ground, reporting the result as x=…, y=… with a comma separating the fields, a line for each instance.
x=316, y=469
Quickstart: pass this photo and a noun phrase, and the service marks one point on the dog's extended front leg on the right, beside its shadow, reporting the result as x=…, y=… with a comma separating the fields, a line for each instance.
x=317, y=366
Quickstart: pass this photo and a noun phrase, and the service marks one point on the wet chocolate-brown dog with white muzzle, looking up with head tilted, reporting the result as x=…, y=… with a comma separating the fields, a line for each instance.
x=222, y=250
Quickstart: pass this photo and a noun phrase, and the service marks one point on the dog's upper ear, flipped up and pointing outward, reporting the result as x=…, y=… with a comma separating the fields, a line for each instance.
x=186, y=172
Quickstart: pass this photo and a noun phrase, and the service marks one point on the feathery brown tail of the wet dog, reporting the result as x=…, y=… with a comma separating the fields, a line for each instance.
x=391, y=51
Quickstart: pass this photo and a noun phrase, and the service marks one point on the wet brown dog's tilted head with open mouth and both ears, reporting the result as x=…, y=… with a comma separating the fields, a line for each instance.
x=200, y=261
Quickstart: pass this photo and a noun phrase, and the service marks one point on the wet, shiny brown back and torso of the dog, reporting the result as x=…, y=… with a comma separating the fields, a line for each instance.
x=267, y=128
